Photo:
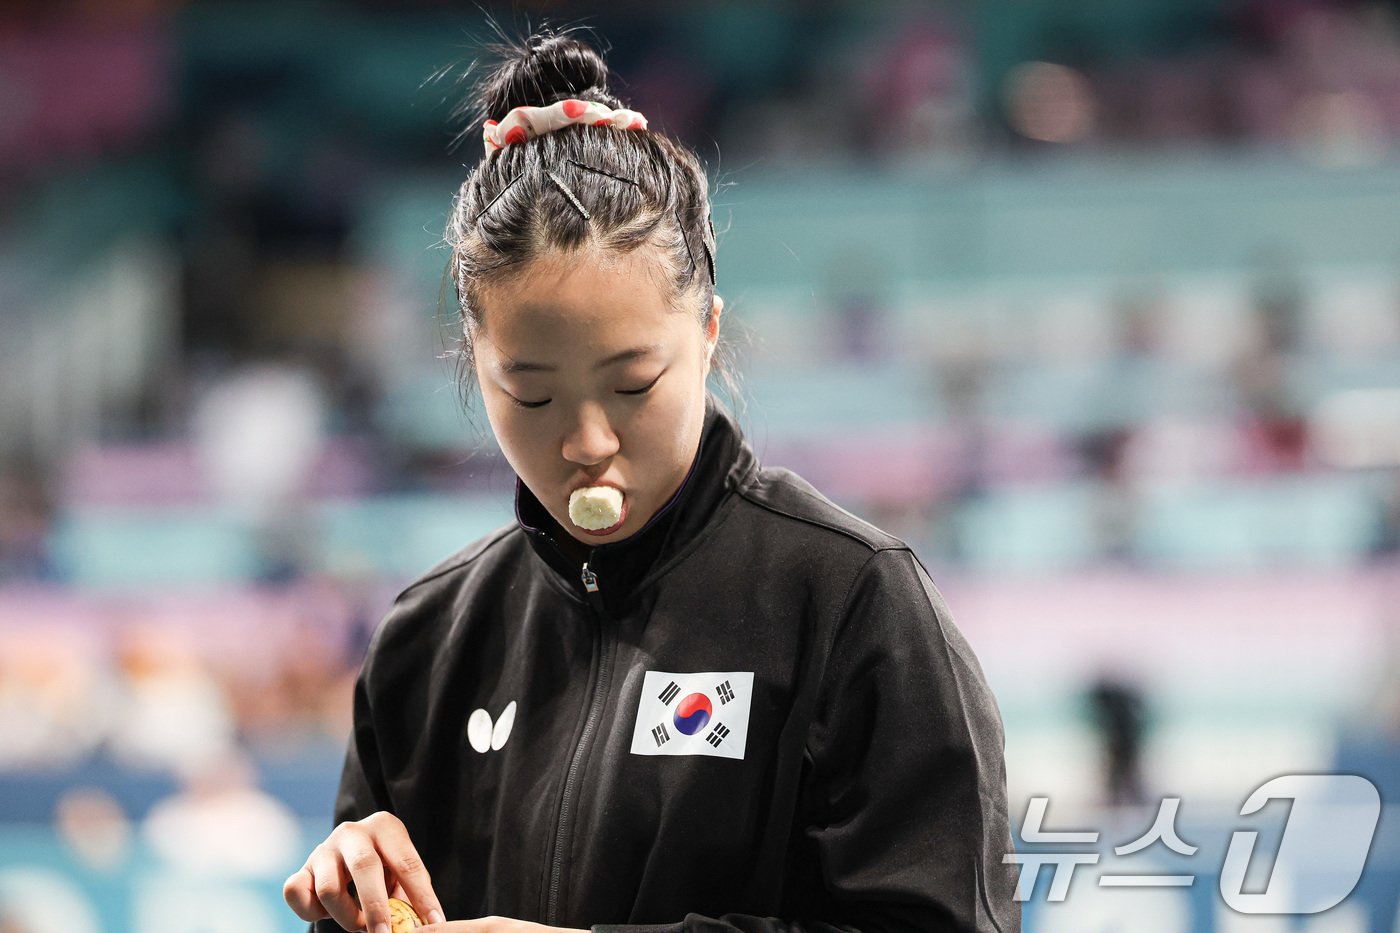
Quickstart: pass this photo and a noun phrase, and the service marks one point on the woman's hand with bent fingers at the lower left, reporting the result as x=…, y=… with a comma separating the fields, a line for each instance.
x=376, y=857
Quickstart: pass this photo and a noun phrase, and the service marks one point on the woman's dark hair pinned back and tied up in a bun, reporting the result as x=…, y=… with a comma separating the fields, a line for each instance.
x=580, y=186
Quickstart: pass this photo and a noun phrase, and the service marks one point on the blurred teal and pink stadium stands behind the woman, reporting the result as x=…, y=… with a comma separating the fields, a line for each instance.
x=1095, y=303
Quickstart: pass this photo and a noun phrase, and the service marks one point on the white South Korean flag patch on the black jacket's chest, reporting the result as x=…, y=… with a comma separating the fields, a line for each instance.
x=703, y=714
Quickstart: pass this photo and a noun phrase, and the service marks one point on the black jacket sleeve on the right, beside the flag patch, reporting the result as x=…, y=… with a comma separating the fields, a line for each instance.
x=905, y=803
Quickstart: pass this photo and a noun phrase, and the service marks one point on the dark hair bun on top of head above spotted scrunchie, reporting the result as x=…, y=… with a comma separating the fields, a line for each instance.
x=547, y=69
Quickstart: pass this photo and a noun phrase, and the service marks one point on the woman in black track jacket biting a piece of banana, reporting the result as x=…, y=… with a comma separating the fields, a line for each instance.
x=681, y=691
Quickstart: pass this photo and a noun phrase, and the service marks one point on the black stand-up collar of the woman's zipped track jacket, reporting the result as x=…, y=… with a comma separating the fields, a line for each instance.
x=722, y=463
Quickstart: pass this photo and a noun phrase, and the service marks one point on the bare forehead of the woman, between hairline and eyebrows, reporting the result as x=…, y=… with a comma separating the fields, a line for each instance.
x=582, y=305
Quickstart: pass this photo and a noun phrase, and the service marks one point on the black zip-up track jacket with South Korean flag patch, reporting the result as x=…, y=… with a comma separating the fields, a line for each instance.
x=761, y=719
